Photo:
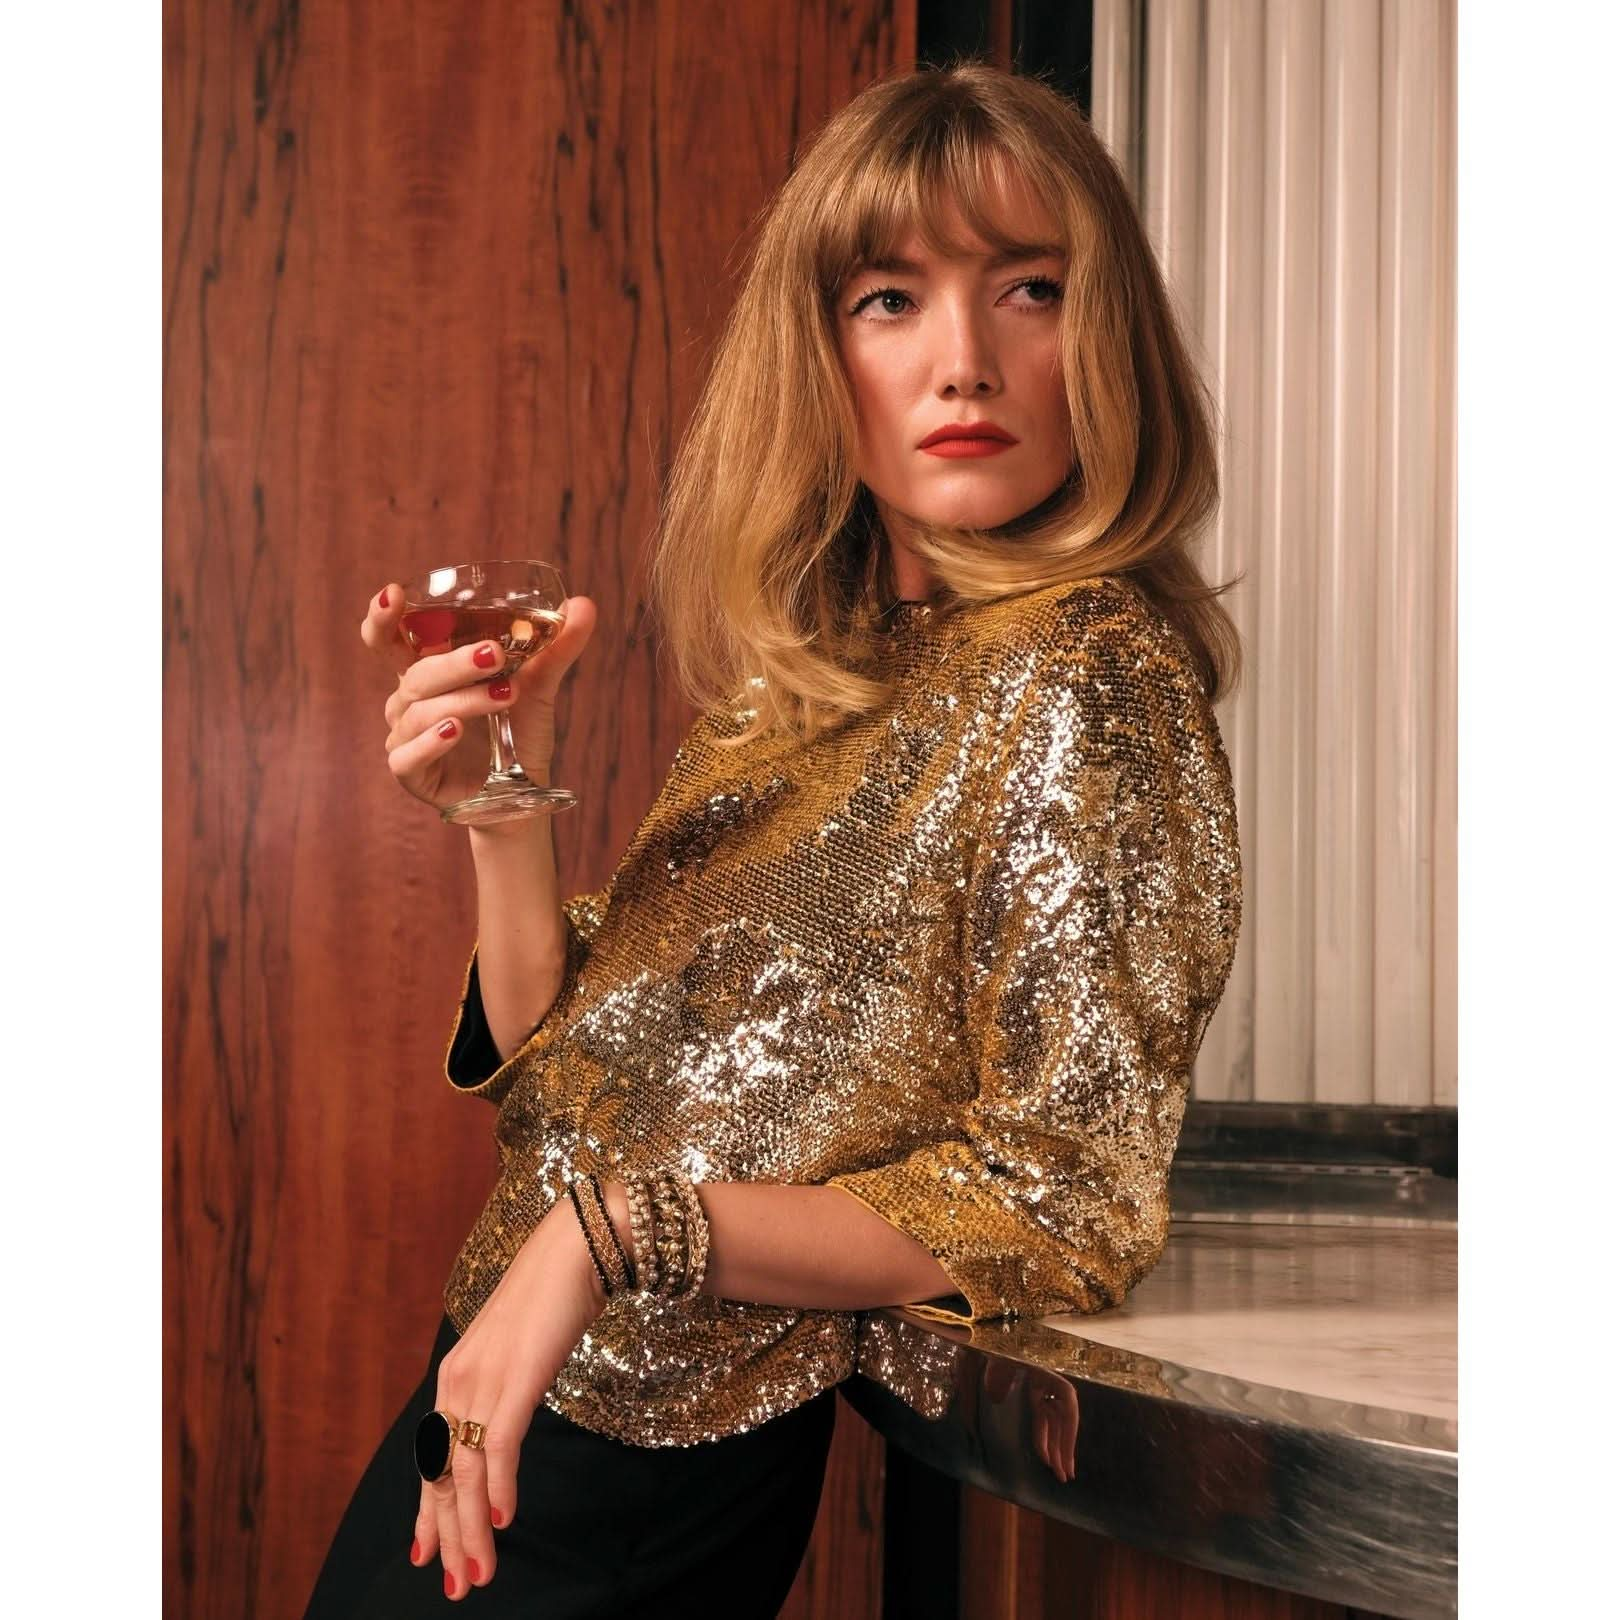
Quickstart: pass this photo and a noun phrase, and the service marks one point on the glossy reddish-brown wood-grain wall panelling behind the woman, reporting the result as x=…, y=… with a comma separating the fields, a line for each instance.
x=441, y=281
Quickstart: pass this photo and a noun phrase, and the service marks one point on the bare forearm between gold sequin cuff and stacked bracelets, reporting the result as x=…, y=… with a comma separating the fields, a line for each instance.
x=817, y=1248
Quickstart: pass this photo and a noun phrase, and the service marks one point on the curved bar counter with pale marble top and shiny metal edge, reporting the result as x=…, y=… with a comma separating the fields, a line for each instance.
x=1276, y=1402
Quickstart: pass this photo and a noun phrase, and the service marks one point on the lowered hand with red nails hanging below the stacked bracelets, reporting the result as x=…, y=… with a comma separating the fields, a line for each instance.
x=498, y=1373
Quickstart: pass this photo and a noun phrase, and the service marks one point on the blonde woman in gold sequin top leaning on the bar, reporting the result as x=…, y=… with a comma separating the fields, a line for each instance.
x=895, y=992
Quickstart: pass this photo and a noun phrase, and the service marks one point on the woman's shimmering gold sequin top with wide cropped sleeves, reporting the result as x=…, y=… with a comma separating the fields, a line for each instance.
x=955, y=958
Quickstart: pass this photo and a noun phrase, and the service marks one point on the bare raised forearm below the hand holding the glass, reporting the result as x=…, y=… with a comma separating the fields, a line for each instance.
x=522, y=937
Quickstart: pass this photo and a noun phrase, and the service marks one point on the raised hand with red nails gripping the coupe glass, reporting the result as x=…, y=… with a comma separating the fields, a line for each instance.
x=451, y=693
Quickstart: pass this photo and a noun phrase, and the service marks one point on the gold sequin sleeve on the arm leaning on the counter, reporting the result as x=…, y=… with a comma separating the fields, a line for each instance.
x=1101, y=923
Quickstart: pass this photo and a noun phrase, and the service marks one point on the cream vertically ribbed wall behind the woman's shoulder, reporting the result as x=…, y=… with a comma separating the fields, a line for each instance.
x=1295, y=163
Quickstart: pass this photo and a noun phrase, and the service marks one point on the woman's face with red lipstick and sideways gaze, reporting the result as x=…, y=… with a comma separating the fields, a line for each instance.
x=936, y=343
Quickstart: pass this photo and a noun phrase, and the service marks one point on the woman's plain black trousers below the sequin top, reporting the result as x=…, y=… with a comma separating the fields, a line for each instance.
x=603, y=1528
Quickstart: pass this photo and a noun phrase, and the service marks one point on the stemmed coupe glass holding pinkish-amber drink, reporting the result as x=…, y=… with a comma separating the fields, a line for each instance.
x=521, y=607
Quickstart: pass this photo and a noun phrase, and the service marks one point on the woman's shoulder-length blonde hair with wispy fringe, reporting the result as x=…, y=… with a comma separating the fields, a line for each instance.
x=770, y=568
